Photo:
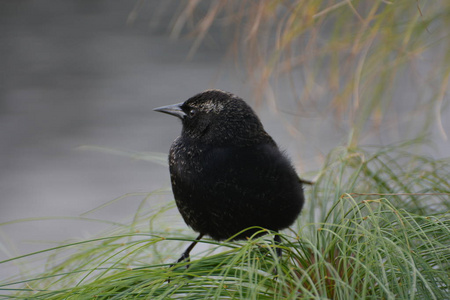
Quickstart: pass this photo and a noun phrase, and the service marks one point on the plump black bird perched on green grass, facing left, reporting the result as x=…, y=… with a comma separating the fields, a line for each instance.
x=227, y=173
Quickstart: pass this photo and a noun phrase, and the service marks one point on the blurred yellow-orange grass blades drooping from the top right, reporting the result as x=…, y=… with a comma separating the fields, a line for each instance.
x=351, y=58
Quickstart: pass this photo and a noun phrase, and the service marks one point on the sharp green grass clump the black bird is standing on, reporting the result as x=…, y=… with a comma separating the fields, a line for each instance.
x=375, y=226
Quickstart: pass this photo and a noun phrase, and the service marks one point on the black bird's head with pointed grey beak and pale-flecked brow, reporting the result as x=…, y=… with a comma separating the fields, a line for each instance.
x=217, y=117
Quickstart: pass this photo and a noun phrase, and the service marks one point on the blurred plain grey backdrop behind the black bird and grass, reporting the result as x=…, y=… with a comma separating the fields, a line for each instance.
x=89, y=73
